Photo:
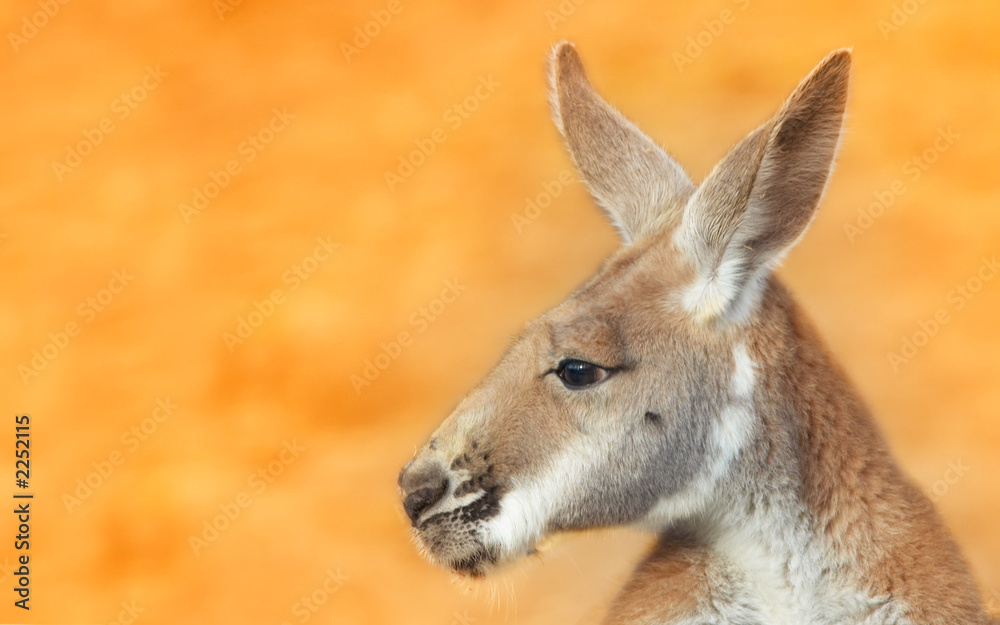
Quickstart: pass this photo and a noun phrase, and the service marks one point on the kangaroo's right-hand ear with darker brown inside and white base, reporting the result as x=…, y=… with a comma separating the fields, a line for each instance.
x=760, y=199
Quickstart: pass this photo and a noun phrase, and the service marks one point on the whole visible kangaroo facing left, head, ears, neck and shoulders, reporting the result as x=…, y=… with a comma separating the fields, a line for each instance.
x=681, y=390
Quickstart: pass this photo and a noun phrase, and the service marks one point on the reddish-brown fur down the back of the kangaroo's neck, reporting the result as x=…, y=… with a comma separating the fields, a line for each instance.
x=880, y=523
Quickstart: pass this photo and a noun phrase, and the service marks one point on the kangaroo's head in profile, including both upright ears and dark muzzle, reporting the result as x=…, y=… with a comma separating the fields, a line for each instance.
x=626, y=403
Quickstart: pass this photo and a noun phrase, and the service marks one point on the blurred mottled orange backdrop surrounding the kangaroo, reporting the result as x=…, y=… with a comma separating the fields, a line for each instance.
x=169, y=171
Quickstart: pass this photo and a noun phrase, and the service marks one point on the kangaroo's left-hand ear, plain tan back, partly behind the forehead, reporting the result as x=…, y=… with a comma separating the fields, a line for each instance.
x=639, y=185
